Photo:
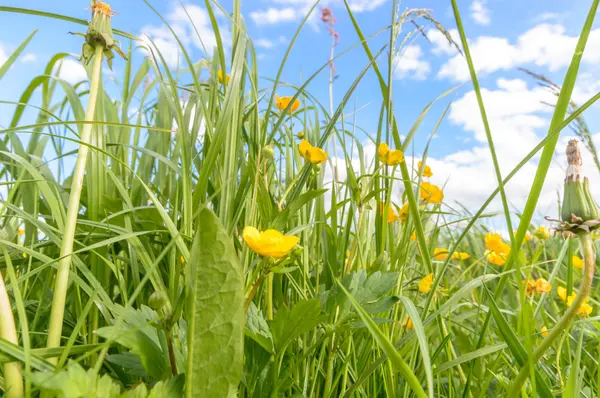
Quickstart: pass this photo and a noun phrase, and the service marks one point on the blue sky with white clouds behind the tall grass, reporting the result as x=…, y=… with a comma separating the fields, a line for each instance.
x=504, y=35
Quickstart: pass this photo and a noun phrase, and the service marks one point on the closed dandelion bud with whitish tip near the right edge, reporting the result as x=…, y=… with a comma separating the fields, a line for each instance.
x=578, y=204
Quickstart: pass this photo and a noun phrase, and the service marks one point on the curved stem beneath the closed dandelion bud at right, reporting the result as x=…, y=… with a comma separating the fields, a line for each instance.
x=564, y=322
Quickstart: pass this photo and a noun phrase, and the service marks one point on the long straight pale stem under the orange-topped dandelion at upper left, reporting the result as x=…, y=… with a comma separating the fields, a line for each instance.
x=66, y=248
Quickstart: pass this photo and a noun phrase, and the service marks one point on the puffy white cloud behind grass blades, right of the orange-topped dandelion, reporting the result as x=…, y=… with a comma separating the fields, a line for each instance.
x=200, y=34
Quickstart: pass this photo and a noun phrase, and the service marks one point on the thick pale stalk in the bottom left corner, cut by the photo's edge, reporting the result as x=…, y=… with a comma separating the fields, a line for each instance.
x=13, y=380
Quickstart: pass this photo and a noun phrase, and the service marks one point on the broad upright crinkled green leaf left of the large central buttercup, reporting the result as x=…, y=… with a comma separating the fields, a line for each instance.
x=216, y=312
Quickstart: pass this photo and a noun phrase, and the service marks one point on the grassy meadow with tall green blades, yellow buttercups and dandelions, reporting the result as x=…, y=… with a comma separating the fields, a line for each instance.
x=203, y=236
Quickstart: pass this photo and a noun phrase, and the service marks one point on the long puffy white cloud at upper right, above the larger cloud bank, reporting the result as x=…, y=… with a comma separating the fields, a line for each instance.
x=545, y=45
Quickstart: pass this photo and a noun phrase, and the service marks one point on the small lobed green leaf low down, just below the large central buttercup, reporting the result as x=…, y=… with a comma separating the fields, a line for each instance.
x=293, y=323
